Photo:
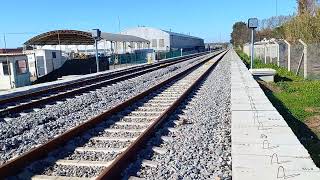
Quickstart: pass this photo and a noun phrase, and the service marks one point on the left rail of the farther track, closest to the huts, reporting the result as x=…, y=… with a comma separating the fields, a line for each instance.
x=98, y=78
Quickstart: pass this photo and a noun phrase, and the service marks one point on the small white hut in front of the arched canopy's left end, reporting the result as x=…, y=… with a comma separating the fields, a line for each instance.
x=44, y=61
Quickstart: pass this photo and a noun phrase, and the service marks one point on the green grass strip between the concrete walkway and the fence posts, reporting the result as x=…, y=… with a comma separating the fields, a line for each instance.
x=298, y=101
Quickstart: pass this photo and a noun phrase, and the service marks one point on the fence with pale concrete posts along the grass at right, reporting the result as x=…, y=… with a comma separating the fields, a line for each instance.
x=301, y=58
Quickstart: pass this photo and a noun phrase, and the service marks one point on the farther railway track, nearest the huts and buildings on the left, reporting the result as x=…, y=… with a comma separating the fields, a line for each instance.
x=17, y=105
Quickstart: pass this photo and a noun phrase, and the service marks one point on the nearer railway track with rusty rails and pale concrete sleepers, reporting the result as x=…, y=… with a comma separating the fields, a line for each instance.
x=101, y=147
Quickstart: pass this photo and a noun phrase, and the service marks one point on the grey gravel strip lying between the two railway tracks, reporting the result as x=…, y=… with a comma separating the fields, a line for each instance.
x=22, y=133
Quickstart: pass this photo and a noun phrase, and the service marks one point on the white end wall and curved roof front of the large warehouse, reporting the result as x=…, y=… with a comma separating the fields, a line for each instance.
x=159, y=40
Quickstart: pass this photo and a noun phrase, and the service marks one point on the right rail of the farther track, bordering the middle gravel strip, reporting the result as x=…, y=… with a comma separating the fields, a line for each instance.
x=38, y=102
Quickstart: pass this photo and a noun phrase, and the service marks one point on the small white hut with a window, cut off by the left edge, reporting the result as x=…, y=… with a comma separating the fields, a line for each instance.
x=14, y=71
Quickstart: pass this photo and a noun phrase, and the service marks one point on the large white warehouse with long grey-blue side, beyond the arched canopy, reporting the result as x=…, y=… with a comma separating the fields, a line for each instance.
x=162, y=40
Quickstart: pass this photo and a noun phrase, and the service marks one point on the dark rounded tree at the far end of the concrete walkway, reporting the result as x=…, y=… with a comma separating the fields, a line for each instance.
x=240, y=34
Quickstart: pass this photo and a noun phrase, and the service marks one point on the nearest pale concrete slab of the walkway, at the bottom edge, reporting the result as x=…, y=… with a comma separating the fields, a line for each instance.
x=284, y=168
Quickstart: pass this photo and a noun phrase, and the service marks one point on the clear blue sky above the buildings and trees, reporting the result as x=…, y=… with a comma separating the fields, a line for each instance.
x=209, y=19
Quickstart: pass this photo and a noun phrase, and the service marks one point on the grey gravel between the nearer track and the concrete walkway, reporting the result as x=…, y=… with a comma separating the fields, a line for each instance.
x=201, y=146
